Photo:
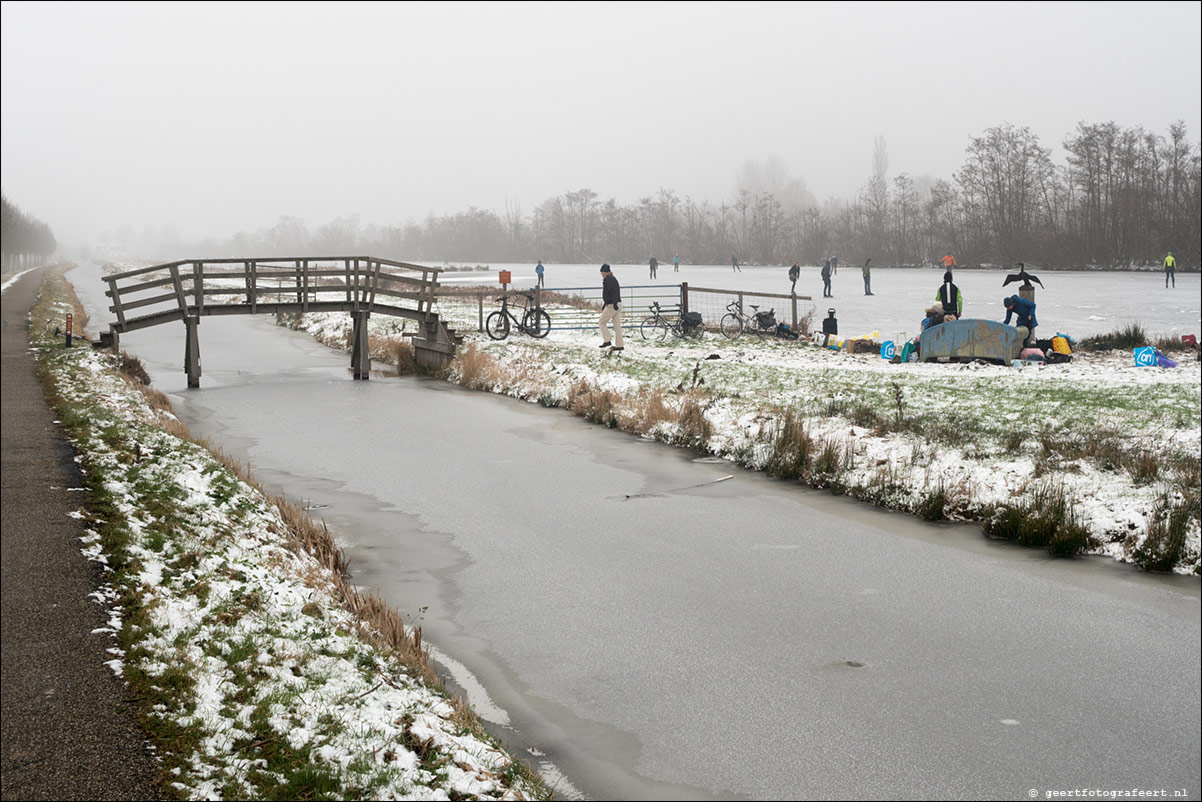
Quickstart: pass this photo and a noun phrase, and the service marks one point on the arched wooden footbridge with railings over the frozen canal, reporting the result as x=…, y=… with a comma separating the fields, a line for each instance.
x=359, y=286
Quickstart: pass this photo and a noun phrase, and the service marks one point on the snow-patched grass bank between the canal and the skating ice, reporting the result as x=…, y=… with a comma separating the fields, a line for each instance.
x=1117, y=444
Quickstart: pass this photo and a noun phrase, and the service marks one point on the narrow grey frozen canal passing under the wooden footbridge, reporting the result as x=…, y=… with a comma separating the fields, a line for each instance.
x=650, y=632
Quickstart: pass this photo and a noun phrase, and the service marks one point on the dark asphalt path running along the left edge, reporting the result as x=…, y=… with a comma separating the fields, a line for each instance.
x=67, y=727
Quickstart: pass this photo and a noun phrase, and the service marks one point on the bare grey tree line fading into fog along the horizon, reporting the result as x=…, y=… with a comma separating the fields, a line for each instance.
x=1121, y=198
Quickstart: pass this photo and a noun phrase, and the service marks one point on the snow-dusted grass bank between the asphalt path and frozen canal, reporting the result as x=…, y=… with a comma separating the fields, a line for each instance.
x=259, y=672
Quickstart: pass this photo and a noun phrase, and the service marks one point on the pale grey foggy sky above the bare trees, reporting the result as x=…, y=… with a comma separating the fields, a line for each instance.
x=224, y=117
